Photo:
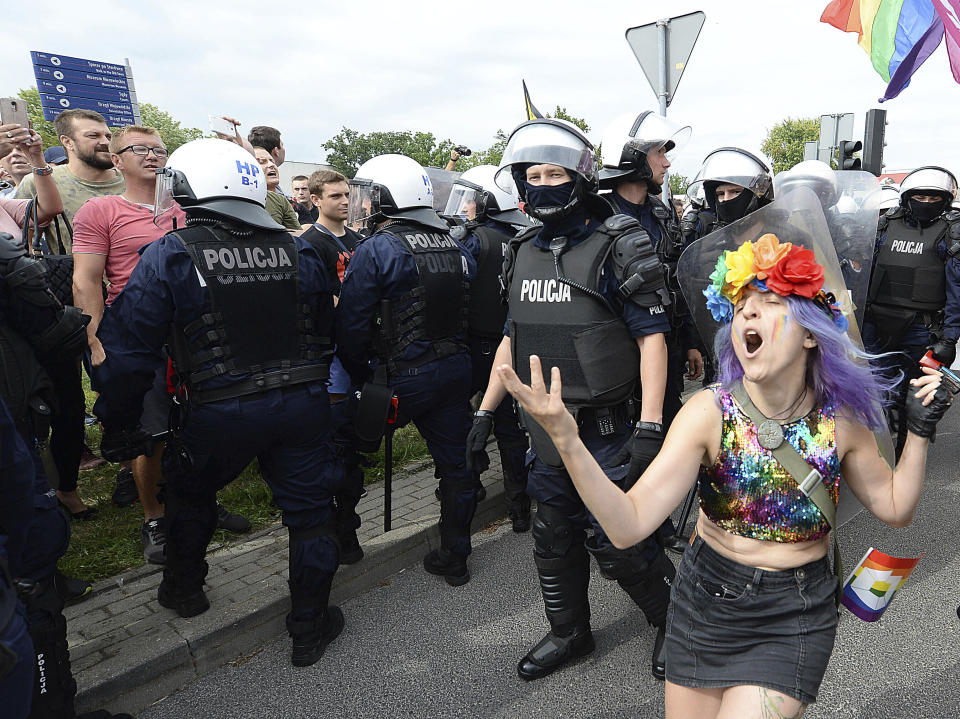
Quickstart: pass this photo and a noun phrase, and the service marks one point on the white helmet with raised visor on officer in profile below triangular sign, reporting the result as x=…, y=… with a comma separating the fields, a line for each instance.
x=630, y=138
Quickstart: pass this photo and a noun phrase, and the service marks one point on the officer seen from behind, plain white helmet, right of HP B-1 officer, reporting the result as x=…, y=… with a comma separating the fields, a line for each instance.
x=404, y=303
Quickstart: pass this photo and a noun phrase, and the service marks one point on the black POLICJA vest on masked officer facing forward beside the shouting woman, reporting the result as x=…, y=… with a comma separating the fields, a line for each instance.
x=568, y=327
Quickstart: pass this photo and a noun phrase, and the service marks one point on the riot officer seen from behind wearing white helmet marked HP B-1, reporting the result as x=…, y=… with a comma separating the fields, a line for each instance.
x=247, y=314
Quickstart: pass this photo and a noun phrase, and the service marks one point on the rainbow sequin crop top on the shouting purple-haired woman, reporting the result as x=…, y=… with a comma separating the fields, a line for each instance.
x=747, y=492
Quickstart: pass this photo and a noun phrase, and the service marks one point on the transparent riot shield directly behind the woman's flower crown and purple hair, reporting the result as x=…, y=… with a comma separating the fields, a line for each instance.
x=797, y=217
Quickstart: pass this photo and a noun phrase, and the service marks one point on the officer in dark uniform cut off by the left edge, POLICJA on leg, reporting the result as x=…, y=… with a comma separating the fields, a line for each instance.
x=35, y=675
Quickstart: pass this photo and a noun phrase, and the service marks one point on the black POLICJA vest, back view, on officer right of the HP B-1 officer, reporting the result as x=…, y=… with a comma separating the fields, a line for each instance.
x=436, y=309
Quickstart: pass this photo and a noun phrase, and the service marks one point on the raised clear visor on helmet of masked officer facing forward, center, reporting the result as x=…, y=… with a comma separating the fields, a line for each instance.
x=546, y=143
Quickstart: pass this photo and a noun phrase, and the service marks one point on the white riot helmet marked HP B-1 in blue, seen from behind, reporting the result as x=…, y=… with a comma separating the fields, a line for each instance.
x=216, y=177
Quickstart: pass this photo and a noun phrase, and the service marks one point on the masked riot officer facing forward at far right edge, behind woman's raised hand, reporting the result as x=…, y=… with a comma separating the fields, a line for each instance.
x=913, y=303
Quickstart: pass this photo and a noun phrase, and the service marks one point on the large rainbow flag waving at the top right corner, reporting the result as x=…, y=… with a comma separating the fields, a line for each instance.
x=899, y=35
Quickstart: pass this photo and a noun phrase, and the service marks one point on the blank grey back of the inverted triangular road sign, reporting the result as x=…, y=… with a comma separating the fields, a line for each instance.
x=680, y=37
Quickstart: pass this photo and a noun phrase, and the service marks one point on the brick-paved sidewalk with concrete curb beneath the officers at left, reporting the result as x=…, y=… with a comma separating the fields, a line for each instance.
x=128, y=652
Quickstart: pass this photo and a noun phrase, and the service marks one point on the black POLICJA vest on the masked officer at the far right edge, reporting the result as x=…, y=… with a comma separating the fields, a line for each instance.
x=908, y=273
